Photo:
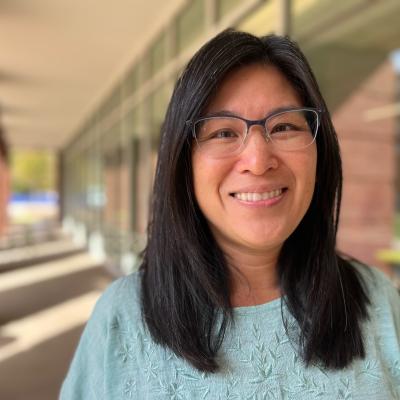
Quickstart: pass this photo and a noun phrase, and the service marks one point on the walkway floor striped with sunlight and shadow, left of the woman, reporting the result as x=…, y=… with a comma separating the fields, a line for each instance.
x=43, y=308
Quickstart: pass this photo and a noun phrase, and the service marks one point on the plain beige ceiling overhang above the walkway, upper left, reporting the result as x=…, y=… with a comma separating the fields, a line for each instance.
x=58, y=58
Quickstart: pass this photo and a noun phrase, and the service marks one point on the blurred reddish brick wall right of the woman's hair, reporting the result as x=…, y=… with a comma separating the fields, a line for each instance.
x=368, y=153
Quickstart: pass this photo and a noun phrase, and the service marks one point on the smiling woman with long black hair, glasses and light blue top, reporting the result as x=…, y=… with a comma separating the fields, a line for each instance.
x=241, y=294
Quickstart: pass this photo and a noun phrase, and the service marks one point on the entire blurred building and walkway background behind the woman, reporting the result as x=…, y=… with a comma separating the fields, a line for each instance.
x=84, y=86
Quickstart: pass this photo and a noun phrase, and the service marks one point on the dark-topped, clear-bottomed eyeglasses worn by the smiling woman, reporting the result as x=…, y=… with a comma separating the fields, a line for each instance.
x=288, y=130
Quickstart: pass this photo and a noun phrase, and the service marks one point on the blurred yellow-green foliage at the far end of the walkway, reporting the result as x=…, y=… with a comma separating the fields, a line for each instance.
x=33, y=171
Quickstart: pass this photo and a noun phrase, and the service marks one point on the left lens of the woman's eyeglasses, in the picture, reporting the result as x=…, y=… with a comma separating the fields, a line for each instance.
x=220, y=136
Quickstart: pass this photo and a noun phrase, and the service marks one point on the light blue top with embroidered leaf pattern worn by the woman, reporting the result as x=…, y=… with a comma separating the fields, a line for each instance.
x=117, y=359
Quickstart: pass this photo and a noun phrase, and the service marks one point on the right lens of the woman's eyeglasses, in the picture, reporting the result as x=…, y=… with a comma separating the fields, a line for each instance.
x=293, y=130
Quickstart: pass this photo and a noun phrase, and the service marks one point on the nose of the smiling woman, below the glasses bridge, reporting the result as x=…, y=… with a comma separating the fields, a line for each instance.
x=258, y=155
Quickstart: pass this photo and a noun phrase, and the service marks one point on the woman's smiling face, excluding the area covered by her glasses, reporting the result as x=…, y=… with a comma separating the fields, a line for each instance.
x=225, y=187
